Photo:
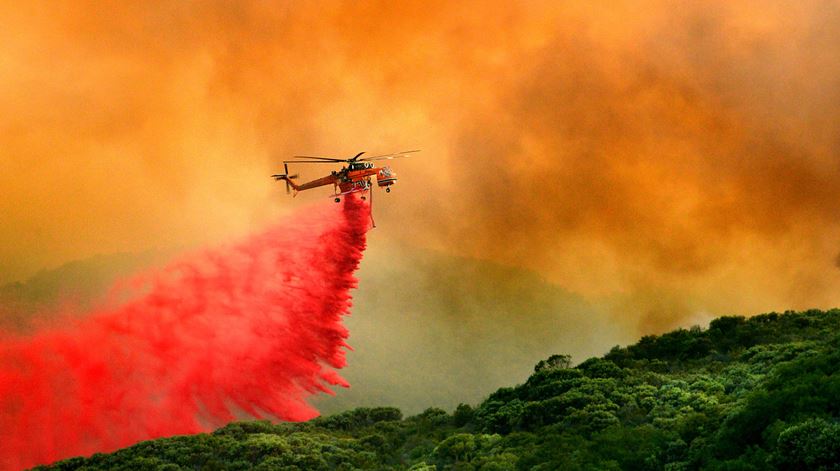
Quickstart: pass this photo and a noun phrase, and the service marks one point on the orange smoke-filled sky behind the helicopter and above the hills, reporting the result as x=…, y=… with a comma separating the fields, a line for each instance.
x=666, y=160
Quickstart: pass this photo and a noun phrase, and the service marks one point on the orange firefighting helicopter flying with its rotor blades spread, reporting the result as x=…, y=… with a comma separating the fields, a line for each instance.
x=354, y=177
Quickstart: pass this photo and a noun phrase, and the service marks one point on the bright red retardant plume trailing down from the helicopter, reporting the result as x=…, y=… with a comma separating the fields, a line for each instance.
x=251, y=329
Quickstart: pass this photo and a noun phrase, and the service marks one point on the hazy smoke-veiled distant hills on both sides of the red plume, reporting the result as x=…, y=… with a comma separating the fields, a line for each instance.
x=427, y=329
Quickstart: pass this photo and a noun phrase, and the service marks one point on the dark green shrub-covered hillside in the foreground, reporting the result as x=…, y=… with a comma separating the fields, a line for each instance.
x=744, y=394
